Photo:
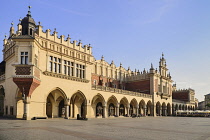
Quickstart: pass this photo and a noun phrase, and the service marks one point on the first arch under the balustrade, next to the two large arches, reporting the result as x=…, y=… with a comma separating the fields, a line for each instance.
x=98, y=105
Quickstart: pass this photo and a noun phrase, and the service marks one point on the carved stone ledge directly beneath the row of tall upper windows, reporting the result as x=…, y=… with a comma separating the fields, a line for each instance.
x=65, y=77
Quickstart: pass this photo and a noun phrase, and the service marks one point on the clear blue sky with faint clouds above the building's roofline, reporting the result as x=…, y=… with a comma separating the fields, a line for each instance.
x=134, y=32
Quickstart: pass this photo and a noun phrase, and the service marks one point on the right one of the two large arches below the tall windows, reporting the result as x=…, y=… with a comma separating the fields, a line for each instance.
x=78, y=105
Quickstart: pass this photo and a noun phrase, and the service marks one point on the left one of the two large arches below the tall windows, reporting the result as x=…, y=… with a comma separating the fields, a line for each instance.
x=55, y=104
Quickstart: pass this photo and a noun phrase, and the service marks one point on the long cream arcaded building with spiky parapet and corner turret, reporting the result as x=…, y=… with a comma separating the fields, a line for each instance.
x=42, y=75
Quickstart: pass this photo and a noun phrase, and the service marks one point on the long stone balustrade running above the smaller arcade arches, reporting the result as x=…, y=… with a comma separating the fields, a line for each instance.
x=120, y=91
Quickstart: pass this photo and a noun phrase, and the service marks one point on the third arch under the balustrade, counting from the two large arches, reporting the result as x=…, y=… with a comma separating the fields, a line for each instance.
x=123, y=107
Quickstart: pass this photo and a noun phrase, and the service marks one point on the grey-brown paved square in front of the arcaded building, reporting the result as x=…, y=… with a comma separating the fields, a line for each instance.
x=145, y=128
